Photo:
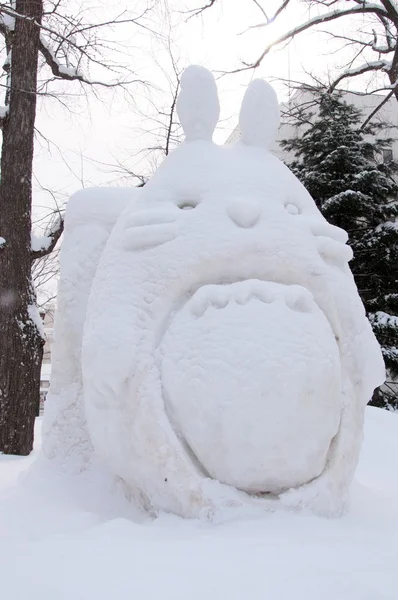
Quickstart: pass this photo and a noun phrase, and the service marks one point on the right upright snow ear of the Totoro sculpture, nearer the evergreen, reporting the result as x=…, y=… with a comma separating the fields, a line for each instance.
x=259, y=115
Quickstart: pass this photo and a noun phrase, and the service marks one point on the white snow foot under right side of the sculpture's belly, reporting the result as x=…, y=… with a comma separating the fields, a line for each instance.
x=321, y=496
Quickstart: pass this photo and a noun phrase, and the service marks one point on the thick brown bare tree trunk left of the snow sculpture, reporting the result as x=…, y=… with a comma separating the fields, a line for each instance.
x=21, y=345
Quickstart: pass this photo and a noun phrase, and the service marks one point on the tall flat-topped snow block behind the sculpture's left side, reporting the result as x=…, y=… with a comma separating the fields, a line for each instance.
x=90, y=216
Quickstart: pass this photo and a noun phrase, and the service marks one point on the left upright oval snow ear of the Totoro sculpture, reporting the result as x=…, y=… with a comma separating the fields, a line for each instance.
x=197, y=105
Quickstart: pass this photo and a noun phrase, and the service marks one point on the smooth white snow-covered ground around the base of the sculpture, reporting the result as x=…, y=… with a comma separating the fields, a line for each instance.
x=76, y=539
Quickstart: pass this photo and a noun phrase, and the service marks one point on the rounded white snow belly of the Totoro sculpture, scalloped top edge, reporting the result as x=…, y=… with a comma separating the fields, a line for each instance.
x=253, y=386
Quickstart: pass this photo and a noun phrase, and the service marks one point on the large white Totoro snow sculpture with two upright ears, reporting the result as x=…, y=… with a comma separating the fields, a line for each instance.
x=226, y=357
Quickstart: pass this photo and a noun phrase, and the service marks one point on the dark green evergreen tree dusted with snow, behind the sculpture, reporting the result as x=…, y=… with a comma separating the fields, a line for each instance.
x=342, y=167
